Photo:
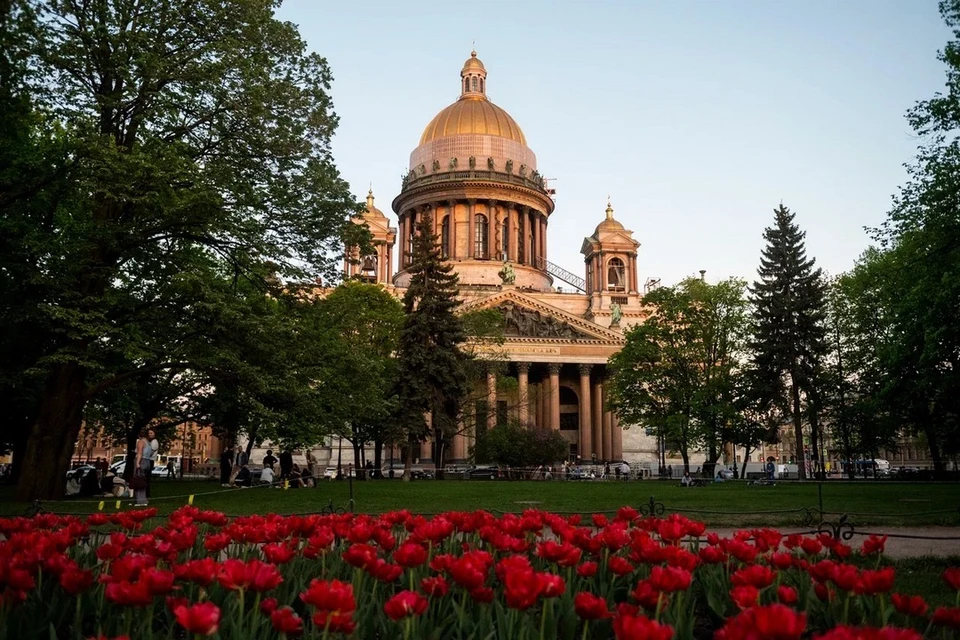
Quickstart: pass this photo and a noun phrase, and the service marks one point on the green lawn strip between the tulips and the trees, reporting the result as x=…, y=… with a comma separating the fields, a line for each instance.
x=728, y=504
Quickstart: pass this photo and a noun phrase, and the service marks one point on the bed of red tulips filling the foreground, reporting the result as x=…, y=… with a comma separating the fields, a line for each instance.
x=457, y=575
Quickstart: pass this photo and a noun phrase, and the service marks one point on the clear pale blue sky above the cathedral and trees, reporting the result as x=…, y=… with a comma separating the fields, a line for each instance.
x=696, y=117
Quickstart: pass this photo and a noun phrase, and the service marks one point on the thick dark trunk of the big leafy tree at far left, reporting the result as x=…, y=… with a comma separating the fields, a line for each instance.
x=47, y=454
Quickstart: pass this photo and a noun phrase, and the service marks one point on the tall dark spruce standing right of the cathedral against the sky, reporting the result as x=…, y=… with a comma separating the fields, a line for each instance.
x=789, y=303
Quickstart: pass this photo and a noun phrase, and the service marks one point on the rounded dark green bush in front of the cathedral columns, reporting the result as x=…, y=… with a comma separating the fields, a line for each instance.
x=516, y=446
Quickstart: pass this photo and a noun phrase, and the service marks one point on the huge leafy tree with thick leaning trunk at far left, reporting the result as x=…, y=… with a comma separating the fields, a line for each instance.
x=187, y=127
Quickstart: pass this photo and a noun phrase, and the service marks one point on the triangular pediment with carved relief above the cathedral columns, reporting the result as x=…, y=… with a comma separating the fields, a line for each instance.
x=526, y=317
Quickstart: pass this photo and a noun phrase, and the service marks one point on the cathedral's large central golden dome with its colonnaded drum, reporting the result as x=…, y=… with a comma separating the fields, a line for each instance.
x=477, y=179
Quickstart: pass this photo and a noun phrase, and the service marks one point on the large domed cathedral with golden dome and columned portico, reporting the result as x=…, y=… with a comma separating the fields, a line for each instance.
x=475, y=177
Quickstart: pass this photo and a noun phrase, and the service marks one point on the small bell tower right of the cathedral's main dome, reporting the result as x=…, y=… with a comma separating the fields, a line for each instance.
x=610, y=256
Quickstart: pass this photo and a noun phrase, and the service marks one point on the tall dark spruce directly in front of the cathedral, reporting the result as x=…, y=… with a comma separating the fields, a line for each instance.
x=432, y=376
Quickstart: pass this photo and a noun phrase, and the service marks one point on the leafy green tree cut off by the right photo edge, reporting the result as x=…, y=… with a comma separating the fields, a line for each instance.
x=920, y=264
